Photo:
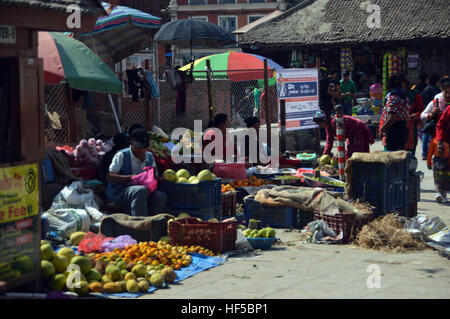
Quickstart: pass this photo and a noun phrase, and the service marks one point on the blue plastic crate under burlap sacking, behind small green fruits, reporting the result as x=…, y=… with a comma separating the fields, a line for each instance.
x=269, y=215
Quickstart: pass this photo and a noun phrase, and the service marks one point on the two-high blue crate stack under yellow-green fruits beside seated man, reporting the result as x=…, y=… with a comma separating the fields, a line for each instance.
x=202, y=200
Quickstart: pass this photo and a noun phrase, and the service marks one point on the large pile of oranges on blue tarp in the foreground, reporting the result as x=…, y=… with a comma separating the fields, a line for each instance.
x=155, y=254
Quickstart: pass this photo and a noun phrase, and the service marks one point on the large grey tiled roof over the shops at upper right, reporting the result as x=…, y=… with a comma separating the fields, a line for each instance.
x=339, y=22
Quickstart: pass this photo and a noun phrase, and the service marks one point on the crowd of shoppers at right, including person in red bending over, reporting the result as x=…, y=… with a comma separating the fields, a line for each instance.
x=410, y=111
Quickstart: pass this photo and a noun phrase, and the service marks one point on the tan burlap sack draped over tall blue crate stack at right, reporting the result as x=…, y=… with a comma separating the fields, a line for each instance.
x=386, y=158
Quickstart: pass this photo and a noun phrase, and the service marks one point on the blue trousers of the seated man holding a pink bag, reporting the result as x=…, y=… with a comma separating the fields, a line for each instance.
x=135, y=200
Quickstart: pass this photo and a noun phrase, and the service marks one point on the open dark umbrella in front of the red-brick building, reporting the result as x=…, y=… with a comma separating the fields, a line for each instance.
x=186, y=33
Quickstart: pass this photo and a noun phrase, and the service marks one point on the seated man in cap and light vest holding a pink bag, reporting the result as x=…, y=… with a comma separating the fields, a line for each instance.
x=130, y=162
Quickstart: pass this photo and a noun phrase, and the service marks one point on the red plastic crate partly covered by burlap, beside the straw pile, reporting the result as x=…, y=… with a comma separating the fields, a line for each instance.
x=343, y=222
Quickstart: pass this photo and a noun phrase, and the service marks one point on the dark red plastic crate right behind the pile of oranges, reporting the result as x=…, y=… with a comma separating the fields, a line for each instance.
x=218, y=237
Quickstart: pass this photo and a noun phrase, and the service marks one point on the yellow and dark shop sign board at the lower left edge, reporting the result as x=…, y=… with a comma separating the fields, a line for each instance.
x=19, y=208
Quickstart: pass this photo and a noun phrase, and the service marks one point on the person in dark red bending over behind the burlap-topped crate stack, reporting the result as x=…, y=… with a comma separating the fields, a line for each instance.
x=357, y=133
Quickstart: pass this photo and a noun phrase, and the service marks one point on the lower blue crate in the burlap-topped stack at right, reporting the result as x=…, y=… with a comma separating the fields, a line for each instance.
x=384, y=197
